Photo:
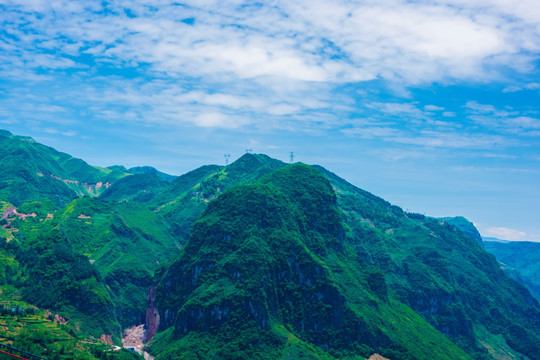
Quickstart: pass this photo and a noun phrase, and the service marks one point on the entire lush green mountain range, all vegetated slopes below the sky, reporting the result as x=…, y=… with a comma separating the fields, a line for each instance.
x=283, y=261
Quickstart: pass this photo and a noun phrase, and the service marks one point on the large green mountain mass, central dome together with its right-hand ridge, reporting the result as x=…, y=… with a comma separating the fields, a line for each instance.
x=381, y=260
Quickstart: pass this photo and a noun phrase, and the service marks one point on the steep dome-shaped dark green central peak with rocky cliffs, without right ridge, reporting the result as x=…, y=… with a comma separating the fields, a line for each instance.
x=268, y=273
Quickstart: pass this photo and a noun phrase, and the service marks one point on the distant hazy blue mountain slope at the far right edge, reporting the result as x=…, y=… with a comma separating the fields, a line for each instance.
x=520, y=260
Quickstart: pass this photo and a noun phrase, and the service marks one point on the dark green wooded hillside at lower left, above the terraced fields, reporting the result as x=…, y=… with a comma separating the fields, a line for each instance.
x=53, y=277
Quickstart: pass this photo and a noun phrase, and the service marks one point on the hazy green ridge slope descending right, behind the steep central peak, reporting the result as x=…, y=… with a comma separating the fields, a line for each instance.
x=443, y=274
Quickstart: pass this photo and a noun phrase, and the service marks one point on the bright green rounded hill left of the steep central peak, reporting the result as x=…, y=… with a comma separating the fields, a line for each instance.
x=122, y=242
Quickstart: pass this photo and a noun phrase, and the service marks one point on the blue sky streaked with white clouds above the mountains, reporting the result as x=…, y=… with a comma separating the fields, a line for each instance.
x=432, y=105
